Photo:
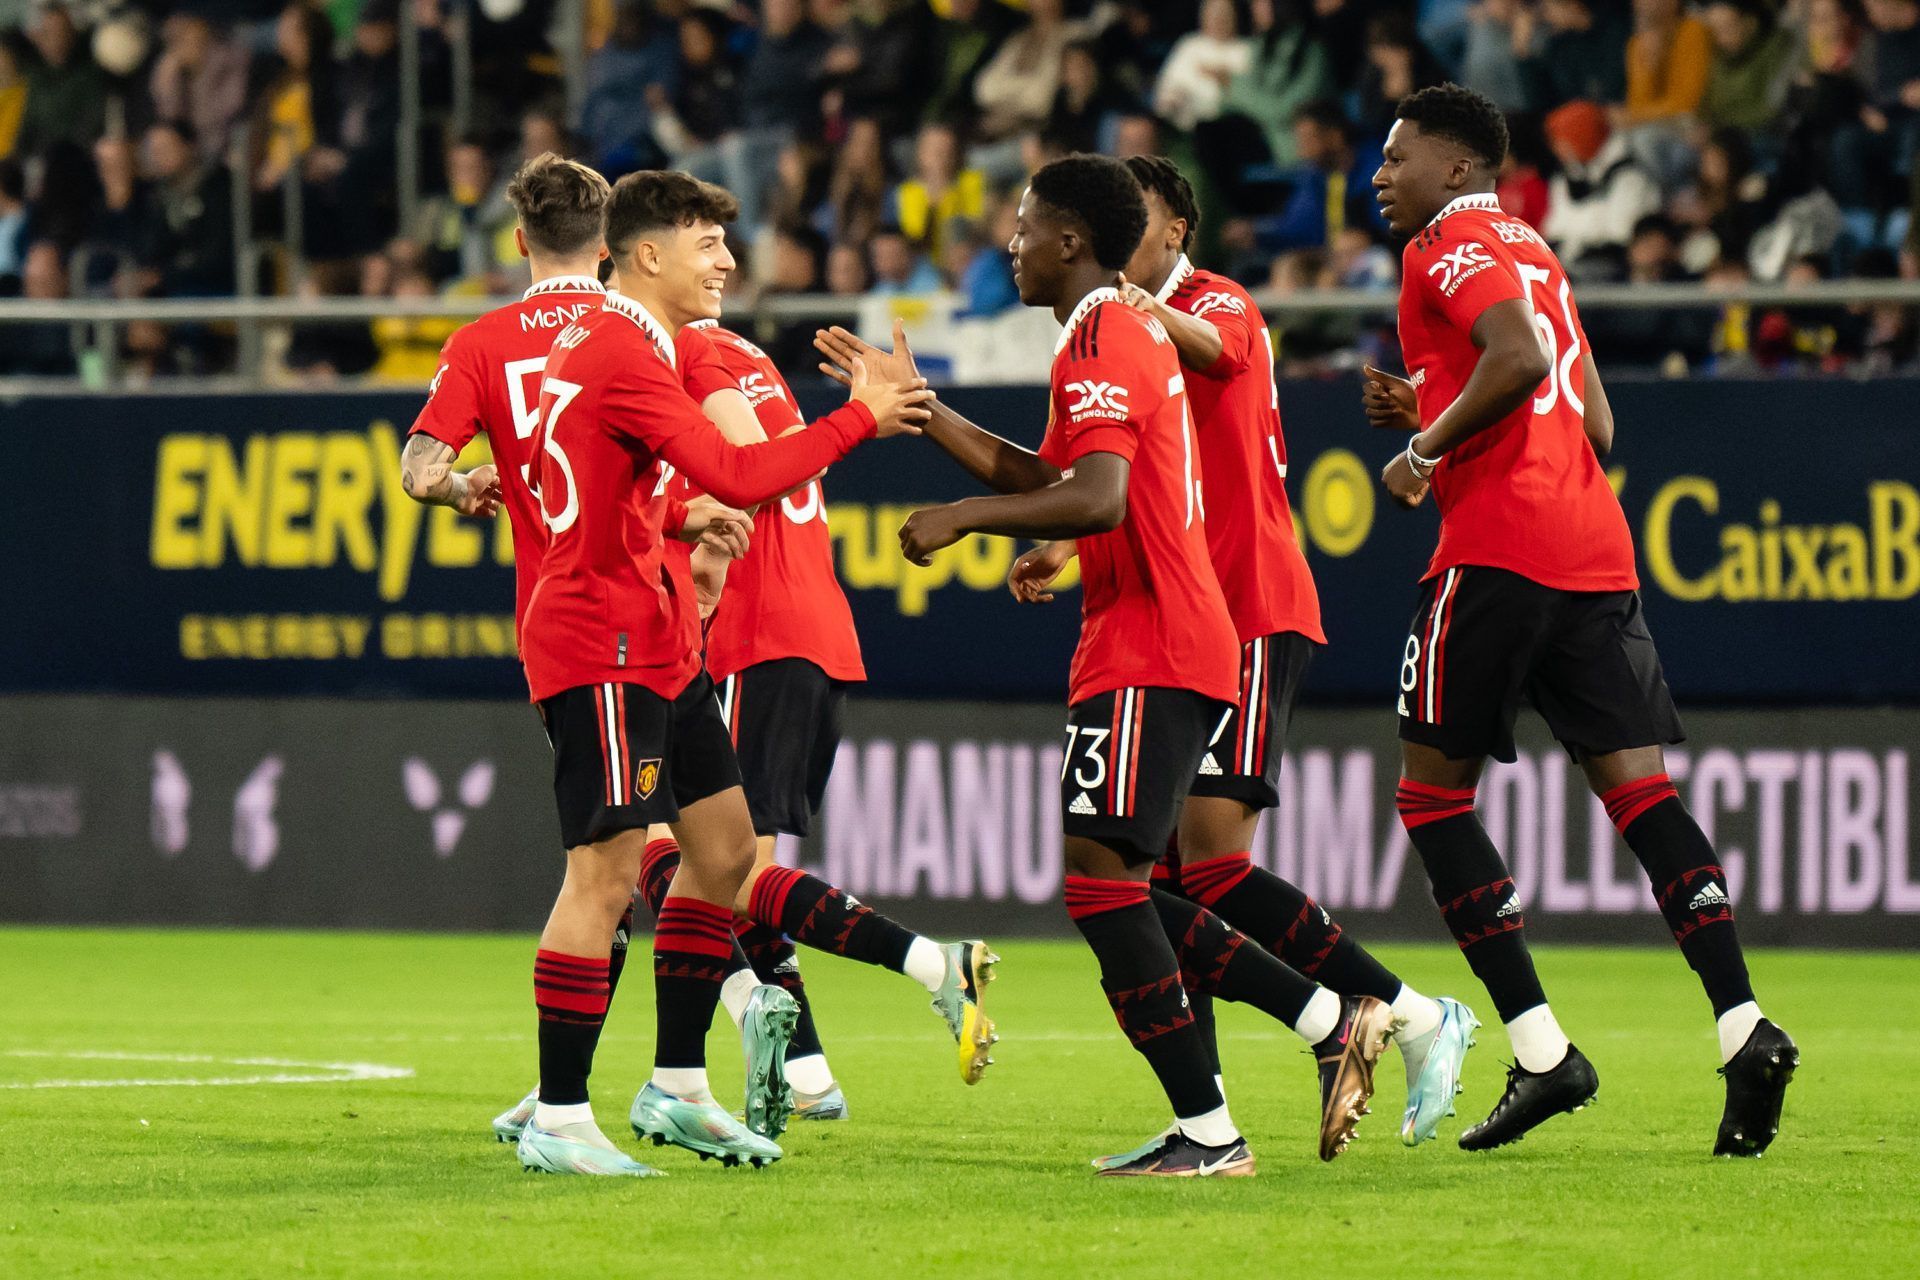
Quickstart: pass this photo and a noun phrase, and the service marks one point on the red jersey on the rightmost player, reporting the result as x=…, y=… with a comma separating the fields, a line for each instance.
x=1527, y=494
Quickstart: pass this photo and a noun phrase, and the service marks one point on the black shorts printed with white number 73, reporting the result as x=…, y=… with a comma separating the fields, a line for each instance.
x=1130, y=765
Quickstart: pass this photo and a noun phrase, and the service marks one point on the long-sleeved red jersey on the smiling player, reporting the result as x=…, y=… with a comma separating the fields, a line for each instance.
x=606, y=607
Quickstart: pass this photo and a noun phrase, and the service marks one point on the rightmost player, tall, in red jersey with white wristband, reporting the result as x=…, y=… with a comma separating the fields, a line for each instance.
x=1531, y=592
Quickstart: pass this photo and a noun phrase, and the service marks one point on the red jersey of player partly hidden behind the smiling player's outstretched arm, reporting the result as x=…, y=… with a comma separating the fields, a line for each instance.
x=784, y=600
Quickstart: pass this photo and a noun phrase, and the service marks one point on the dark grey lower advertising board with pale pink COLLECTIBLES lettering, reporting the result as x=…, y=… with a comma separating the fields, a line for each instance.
x=408, y=815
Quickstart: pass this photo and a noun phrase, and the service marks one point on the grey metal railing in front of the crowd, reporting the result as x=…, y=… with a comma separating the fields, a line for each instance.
x=97, y=325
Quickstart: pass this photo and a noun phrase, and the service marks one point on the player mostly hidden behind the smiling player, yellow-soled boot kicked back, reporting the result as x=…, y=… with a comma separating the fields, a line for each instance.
x=782, y=652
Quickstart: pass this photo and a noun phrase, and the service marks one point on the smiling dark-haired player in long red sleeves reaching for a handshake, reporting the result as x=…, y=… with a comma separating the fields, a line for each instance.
x=612, y=652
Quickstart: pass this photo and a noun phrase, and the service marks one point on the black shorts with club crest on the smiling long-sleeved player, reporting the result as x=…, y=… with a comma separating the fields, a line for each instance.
x=625, y=757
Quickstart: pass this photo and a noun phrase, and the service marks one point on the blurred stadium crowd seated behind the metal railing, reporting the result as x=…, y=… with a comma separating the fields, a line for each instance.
x=882, y=147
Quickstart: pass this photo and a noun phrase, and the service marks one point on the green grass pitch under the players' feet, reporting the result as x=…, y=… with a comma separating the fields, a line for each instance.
x=400, y=1177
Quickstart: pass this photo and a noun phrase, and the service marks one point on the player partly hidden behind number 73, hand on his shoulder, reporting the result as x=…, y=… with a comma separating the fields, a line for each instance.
x=1228, y=364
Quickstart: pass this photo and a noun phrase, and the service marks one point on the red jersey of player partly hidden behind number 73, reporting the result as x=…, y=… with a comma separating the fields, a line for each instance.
x=1243, y=463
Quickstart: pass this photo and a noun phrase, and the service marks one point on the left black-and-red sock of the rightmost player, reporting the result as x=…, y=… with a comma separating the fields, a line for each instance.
x=1476, y=893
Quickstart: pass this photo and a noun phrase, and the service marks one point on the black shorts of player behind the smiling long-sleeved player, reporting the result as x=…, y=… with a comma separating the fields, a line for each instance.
x=786, y=724
